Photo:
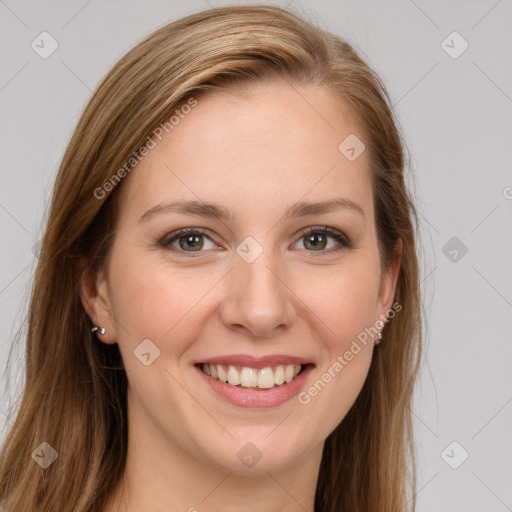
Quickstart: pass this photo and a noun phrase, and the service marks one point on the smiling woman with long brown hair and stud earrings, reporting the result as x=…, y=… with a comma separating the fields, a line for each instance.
x=226, y=309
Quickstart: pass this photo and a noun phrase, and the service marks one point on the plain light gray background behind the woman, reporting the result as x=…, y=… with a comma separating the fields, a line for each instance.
x=456, y=117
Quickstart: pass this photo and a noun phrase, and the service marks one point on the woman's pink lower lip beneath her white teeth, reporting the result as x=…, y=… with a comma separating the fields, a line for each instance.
x=243, y=397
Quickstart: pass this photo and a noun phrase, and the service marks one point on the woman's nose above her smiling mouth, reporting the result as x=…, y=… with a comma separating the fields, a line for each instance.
x=258, y=298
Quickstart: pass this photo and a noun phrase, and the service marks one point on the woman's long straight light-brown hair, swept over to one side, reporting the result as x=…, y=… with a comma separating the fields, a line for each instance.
x=74, y=395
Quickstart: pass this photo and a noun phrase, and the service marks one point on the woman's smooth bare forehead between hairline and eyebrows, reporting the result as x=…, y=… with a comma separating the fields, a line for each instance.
x=268, y=145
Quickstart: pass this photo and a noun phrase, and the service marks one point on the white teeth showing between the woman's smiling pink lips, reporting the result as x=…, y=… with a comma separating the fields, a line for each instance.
x=253, y=378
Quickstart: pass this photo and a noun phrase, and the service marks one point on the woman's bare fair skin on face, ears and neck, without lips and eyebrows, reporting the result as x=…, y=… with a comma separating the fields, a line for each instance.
x=257, y=155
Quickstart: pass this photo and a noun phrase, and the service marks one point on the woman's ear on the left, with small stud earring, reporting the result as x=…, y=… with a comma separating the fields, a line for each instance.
x=93, y=290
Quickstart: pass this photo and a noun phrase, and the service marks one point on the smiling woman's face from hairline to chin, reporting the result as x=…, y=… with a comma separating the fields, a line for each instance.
x=256, y=283
